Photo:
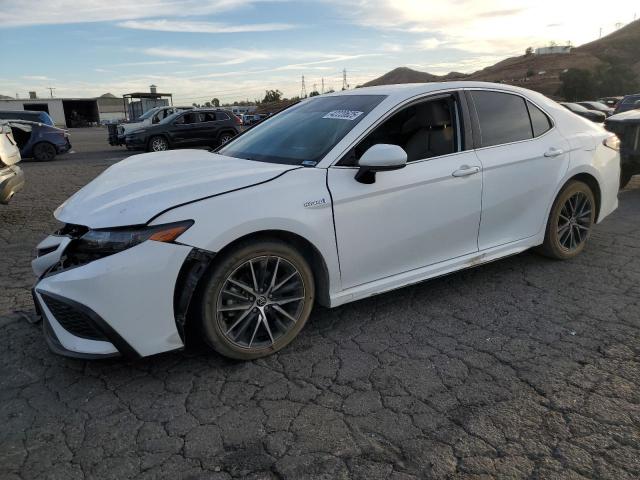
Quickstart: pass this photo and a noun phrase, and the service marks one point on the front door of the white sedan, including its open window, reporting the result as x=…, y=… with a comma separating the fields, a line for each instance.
x=425, y=213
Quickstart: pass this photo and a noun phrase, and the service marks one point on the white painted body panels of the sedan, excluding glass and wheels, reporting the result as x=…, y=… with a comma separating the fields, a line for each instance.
x=412, y=224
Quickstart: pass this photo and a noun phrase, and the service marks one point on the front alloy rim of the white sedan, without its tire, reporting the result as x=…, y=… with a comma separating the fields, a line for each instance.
x=260, y=301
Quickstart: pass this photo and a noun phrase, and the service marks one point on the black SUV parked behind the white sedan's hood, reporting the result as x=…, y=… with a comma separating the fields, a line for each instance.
x=193, y=128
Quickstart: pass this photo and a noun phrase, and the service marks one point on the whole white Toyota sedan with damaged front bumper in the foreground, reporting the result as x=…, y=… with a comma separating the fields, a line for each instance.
x=335, y=199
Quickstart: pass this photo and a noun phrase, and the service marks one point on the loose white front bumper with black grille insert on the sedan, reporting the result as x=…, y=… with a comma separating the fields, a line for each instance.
x=132, y=303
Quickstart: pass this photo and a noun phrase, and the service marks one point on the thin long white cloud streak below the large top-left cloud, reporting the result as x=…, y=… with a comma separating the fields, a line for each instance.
x=185, y=26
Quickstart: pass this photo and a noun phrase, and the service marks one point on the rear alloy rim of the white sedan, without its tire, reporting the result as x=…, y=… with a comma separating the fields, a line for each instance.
x=574, y=221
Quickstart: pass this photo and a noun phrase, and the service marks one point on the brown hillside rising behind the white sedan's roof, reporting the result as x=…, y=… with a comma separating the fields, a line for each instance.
x=540, y=72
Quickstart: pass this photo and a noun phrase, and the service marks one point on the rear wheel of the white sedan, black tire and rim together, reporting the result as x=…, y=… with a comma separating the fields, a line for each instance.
x=564, y=226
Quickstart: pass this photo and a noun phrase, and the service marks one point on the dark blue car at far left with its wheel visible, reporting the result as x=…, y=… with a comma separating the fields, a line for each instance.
x=38, y=141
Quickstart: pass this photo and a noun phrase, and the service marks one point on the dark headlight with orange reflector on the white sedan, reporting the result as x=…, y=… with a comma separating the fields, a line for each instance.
x=101, y=243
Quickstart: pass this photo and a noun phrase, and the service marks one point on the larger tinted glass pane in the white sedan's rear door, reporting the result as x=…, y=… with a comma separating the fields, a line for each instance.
x=503, y=118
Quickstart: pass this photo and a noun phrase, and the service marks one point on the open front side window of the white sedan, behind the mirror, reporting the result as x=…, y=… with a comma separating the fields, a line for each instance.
x=424, y=130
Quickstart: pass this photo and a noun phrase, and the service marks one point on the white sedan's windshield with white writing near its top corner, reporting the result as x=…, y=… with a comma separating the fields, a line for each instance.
x=303, y=133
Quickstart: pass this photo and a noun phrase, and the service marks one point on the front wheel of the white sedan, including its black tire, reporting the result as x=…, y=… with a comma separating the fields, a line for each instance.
x=216, y=325
